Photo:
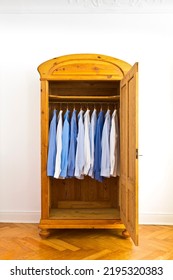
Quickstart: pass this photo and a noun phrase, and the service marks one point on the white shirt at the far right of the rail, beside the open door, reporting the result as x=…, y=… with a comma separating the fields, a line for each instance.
x=114, y=146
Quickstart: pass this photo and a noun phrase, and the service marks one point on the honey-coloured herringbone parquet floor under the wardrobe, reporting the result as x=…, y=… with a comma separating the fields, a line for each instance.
x=22, y=242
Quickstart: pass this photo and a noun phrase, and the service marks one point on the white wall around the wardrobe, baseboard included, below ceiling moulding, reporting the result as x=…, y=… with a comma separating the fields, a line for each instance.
x=26, y=40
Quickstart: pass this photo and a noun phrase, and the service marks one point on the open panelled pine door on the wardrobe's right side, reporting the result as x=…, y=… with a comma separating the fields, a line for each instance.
x=129, y=152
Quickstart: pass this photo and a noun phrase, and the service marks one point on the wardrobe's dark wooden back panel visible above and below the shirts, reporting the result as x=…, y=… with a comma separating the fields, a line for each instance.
x=87, y=193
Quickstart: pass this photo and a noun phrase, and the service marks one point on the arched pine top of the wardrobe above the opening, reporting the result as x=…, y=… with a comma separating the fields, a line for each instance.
x=83, y=67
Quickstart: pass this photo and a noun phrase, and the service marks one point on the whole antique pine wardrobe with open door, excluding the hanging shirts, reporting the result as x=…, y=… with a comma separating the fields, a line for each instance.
x=91, y=80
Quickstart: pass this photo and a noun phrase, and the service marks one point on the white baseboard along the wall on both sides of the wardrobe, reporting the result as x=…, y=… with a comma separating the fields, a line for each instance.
x=34, y=217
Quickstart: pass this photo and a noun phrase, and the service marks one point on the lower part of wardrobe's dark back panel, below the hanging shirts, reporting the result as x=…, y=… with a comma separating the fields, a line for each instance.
x=84, y=193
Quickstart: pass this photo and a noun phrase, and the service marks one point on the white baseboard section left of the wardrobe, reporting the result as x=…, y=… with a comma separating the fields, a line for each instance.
x=20, y=217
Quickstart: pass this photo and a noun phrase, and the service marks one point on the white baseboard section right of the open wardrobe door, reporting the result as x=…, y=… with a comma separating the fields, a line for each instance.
x=155, y=219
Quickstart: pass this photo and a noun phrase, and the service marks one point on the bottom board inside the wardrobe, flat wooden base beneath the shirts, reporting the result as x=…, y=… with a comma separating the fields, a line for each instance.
x=85, y=214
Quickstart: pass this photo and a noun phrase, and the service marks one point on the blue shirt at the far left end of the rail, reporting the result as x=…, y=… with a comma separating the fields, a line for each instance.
x=52, y=146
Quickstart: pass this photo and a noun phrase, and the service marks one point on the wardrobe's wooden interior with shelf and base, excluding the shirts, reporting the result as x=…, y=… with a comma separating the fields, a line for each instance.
x=83, y=199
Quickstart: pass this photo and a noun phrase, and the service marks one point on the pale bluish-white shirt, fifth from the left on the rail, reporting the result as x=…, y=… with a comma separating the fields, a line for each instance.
x=80, y=160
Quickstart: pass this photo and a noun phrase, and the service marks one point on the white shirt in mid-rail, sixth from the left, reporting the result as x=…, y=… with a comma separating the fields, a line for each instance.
x=87, y=153
